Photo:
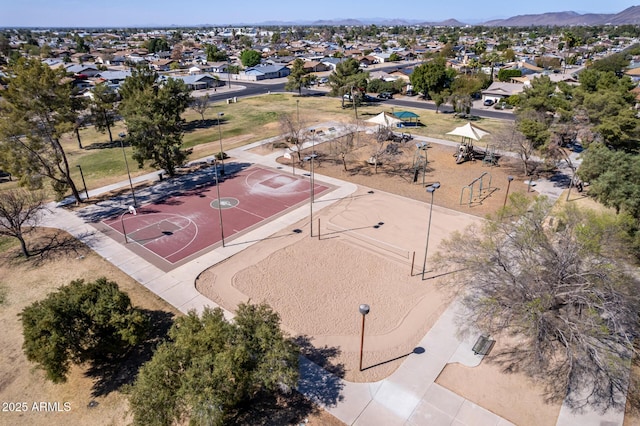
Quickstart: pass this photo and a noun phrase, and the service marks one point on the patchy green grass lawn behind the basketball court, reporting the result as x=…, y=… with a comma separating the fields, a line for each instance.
x=256, y=118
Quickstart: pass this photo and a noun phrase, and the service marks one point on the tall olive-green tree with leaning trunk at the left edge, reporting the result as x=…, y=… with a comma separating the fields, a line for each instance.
x=36, y=110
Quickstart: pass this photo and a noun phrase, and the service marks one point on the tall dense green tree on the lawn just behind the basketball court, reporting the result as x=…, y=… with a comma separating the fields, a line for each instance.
x=152, y=112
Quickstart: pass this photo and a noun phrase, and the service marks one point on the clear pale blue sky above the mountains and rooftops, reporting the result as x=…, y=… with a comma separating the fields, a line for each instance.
x=131, y=13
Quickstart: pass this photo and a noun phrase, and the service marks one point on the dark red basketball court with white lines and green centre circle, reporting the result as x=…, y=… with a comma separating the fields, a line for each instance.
x=180, y=227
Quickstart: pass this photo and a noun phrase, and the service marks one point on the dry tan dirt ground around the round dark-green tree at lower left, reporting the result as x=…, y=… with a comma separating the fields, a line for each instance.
x=23, y=282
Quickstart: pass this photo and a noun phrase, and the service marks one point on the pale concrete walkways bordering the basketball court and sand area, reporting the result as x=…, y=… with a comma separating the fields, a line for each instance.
x=409, y=396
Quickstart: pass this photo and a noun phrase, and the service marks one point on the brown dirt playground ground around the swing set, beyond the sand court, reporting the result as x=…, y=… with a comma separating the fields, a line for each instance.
x=396, y=175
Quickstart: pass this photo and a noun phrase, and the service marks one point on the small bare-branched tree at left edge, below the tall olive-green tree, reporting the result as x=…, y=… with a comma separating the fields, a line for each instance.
x=20, y=213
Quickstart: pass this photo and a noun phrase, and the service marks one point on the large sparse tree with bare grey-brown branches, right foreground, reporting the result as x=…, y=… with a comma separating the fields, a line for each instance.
x=558, y=288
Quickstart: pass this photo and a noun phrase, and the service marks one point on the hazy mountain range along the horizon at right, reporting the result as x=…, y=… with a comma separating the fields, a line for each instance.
x=630, y=16
